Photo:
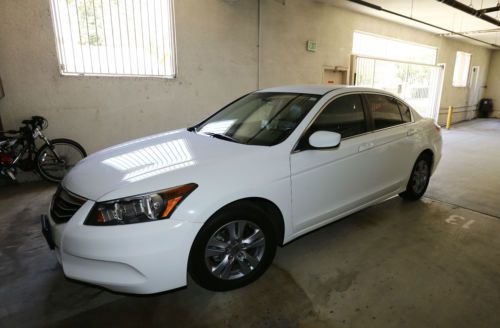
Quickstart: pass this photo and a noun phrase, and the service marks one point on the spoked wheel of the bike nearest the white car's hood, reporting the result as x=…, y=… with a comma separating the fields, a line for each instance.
x=48, y=166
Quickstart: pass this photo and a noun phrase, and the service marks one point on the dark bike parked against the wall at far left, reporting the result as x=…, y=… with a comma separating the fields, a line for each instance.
x=18, y=150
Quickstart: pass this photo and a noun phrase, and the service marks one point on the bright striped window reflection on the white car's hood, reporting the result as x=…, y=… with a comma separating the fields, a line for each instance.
x=153, y=160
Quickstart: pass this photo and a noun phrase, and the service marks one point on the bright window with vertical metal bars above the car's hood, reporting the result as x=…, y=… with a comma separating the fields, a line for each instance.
x=115, y=37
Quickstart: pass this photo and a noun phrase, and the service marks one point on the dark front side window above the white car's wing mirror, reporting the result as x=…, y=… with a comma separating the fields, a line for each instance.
x=343, y=115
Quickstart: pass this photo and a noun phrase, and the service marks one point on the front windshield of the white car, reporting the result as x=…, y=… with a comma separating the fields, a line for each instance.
x=261, y=118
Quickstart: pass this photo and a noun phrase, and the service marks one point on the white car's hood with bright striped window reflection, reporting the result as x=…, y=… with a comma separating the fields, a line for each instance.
x=154, y=163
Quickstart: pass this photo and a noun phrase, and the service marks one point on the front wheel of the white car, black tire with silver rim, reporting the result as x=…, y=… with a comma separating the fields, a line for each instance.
x=219, y=261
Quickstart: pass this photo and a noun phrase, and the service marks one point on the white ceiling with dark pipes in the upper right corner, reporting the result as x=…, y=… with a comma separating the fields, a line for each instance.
x=436, y=13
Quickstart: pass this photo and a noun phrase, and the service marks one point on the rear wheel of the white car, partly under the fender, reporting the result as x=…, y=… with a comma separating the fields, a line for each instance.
x=419, y=179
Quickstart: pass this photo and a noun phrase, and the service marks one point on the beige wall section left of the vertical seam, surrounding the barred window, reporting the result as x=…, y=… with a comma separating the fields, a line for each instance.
x=216, y=62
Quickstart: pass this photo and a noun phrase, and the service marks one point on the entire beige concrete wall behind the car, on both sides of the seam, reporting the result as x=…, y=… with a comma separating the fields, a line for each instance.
x=217, y=61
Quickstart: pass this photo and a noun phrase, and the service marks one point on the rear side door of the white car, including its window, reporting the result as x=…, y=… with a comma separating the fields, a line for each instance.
x=393, y=141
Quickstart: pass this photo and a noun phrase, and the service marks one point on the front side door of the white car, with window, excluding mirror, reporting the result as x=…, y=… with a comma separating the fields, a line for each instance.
x=326, y=183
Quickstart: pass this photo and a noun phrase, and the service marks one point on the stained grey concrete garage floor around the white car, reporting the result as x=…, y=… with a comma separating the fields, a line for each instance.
x=397, y=264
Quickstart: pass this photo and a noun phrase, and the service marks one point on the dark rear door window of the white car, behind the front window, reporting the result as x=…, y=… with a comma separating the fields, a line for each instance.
x=385, y=111
